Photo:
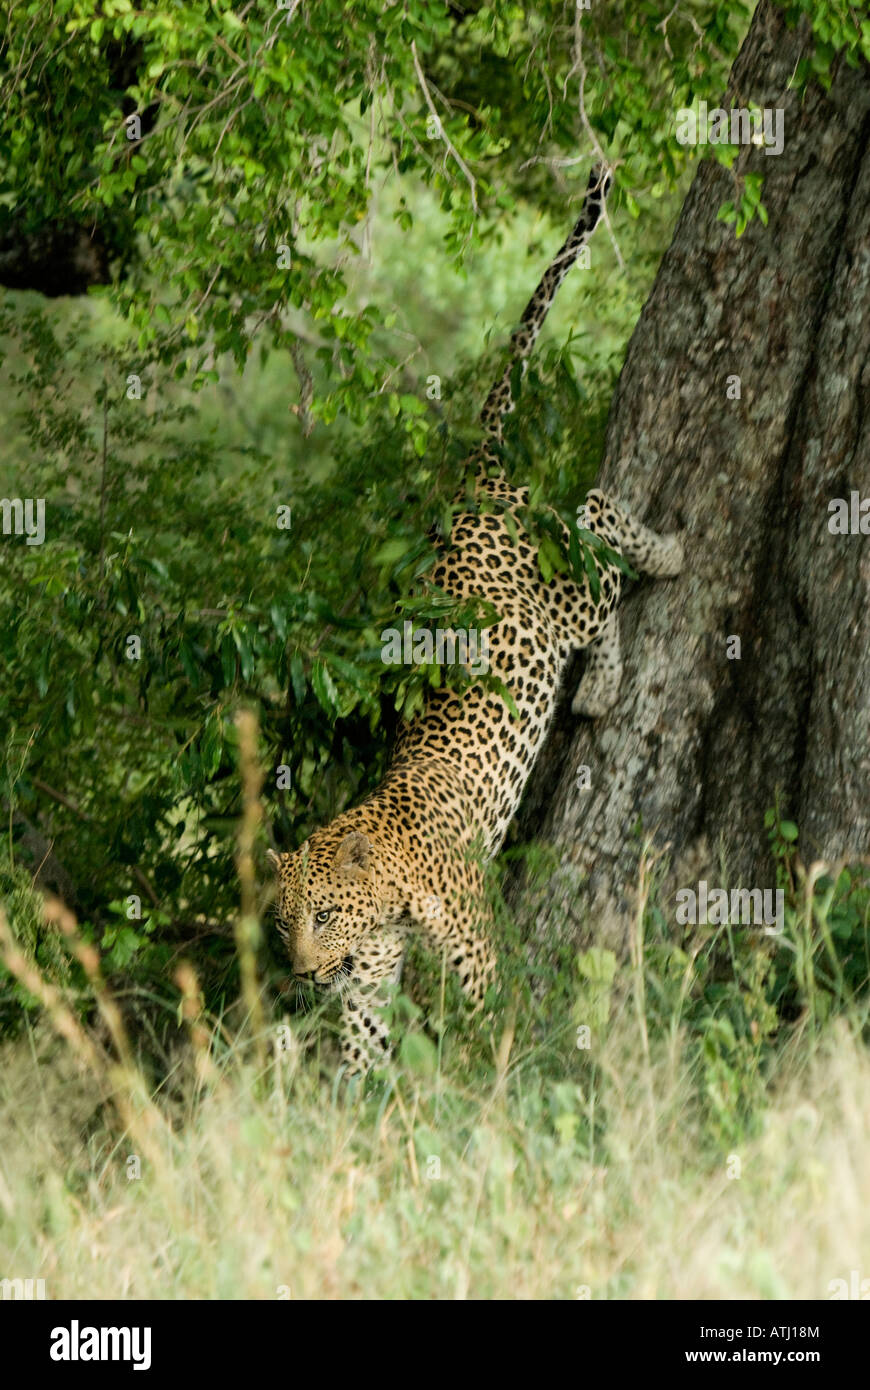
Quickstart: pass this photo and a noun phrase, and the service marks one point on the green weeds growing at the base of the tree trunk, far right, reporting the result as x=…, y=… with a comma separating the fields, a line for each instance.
x=746, y=995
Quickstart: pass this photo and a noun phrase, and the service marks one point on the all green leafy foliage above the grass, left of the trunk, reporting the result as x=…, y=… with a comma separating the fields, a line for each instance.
x=308, y=127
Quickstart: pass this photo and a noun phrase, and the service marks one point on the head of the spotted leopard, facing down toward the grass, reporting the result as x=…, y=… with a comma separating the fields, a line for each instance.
x=326, y=903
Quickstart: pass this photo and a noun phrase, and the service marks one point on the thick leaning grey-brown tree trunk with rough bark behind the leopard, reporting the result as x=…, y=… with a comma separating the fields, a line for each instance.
x=700, y=746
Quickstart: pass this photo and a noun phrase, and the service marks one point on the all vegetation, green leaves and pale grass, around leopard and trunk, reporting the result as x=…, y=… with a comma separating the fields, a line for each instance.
x=325, y=224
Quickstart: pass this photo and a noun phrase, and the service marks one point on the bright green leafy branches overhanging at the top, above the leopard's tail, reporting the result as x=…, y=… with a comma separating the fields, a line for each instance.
x=273, y=129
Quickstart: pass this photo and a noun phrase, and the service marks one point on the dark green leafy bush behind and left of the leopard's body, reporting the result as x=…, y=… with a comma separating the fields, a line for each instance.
x=167, y=594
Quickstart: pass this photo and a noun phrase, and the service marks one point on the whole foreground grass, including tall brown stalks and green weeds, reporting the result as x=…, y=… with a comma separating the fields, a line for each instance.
x=712, y=1139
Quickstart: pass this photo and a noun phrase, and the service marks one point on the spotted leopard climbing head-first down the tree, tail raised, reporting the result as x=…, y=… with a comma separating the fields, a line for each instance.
x=411, y=860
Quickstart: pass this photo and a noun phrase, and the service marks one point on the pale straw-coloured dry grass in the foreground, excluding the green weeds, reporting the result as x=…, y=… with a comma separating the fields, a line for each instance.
x=270, y=1182
